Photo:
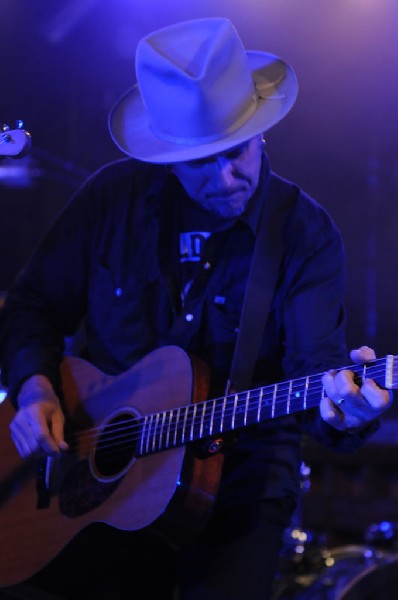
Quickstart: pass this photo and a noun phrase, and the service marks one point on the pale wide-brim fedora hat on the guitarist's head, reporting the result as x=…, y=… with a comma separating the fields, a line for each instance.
x=199, y=92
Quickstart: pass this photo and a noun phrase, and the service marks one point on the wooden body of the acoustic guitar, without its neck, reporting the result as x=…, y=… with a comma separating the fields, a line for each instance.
x=44, y=504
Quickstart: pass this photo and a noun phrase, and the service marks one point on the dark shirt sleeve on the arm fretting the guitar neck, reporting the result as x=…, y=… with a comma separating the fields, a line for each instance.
x=314, y=316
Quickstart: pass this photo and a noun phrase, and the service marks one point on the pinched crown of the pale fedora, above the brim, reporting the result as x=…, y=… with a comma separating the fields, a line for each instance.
x=195, y=81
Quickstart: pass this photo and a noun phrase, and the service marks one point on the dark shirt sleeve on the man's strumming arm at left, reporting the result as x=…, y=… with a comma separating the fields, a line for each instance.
x=47, y=300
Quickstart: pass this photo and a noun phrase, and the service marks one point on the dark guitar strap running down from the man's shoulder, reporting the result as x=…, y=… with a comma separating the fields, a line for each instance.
x=263, y=276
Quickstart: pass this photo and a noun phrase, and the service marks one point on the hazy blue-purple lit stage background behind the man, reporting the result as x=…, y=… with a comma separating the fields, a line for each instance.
x=64, y=63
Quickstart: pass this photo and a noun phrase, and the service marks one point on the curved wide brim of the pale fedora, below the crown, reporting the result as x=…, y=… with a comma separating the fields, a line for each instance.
x=276, y=86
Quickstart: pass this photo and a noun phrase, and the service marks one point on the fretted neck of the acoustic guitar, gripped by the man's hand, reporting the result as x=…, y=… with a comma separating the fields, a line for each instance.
x=171, y=428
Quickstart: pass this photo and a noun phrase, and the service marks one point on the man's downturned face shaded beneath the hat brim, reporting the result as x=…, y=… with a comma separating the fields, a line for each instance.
x=223, y=183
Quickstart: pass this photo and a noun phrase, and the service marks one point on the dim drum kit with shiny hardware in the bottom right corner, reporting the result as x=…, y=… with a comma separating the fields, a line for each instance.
x=310, y=570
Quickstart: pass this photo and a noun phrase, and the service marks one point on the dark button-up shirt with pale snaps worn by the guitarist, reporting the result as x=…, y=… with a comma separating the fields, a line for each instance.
x=110, y=267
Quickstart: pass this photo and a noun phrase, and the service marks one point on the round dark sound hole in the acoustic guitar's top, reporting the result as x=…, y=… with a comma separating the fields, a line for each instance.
x=116, y=446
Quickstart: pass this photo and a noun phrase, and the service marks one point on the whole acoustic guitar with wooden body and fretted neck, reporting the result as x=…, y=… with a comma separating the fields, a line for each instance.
x=131, y=457
